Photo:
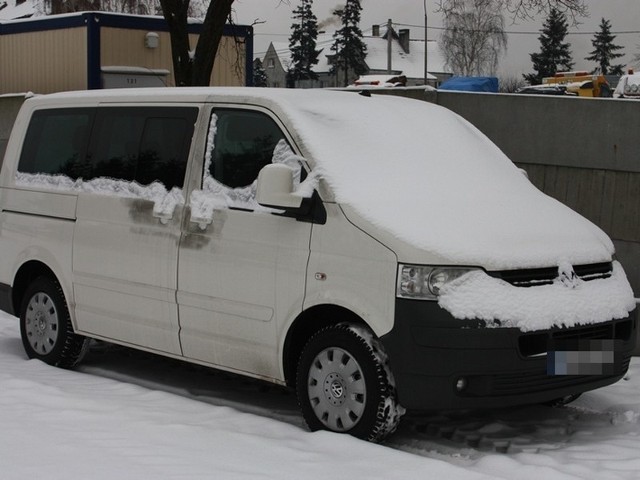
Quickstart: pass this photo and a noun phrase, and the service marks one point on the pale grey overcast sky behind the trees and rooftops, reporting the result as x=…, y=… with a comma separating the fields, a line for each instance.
x=623, y=14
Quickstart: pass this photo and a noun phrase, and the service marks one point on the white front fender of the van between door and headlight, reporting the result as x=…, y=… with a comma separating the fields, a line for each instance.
x=351, y=269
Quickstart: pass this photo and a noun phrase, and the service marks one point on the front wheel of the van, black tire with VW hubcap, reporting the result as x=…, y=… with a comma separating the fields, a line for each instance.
x=344, y=384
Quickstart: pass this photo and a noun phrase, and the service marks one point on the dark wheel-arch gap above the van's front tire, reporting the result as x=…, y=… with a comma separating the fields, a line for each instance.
x=305, y=326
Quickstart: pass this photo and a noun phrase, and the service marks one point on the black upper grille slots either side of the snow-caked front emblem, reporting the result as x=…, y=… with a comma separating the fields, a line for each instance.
x=532, y=277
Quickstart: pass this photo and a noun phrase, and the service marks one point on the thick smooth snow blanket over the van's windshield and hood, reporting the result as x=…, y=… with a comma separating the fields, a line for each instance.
x=431, y=179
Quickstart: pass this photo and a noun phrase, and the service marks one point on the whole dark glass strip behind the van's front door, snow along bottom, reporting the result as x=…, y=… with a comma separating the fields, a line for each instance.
x=141, y=144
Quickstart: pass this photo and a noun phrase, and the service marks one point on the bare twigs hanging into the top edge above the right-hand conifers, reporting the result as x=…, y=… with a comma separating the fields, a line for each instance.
x=528, y=9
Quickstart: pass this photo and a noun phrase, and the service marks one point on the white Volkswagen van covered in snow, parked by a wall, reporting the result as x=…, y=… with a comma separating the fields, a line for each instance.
x=378, y=254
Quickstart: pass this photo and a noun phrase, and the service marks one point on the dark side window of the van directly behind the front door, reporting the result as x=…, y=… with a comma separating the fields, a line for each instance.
x=141, y=144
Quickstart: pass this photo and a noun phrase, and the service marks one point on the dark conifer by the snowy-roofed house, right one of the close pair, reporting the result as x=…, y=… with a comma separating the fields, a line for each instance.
x=350, y=50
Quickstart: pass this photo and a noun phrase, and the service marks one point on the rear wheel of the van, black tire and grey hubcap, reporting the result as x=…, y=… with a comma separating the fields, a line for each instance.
x=45, y=325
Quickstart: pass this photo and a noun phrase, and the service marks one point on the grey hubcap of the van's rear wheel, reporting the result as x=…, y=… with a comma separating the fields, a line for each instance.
x=41, y=323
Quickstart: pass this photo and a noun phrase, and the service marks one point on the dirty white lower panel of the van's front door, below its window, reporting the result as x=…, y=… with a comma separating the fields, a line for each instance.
x=239, y=279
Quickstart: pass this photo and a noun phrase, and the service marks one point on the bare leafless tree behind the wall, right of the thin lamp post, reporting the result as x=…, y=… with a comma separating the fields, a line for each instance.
x=473, y=39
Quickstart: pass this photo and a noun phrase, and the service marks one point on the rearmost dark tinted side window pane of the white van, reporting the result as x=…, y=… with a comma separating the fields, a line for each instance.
x=56, y=140
